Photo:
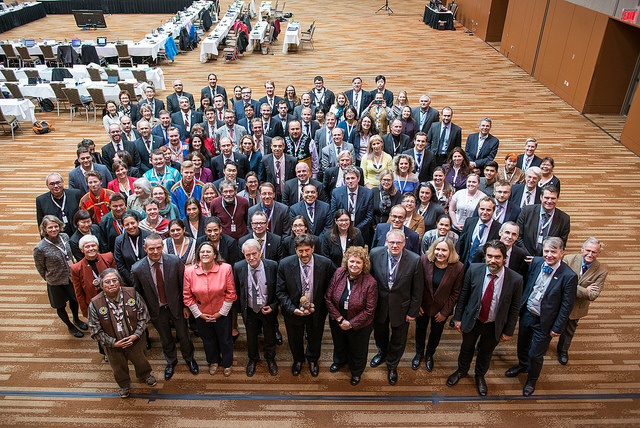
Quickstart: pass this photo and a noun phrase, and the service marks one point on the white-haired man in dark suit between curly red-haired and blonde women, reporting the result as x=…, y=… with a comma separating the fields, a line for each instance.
x=400, y=279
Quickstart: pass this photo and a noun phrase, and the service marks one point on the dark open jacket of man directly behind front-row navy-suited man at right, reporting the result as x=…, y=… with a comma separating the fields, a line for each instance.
x=528, y=222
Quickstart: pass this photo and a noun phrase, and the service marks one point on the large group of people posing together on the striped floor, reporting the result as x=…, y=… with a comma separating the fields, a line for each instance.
x=353, y=205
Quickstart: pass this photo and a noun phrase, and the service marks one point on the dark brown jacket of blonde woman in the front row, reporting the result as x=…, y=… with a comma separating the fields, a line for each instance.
x=446, y=296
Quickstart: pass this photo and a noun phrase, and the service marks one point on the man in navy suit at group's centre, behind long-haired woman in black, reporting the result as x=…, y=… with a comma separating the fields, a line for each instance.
x=356, y=199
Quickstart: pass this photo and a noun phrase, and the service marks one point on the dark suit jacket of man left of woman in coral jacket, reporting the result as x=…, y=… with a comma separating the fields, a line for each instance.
x=173, y=274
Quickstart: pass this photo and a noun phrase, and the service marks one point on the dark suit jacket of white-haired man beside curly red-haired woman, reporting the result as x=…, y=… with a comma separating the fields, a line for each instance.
x=406, y=295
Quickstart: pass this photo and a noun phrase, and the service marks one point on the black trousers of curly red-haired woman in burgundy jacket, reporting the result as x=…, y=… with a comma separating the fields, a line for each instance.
x=350, y=347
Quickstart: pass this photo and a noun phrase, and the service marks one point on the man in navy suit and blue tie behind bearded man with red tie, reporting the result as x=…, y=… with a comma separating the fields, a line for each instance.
x=478, y=230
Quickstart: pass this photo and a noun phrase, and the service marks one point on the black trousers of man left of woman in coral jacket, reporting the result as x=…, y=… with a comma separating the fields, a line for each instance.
x=163, y=325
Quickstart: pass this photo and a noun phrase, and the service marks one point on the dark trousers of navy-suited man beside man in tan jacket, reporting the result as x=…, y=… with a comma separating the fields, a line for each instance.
x=532, y=344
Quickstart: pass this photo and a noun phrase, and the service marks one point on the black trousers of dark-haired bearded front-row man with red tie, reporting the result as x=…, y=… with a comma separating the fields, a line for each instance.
x=487, y=334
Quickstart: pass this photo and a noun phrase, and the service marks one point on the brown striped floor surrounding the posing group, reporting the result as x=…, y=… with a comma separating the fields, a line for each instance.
x=49, y=378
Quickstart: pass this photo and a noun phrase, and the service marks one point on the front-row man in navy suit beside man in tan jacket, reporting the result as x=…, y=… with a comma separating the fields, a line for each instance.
x=546, y=303
